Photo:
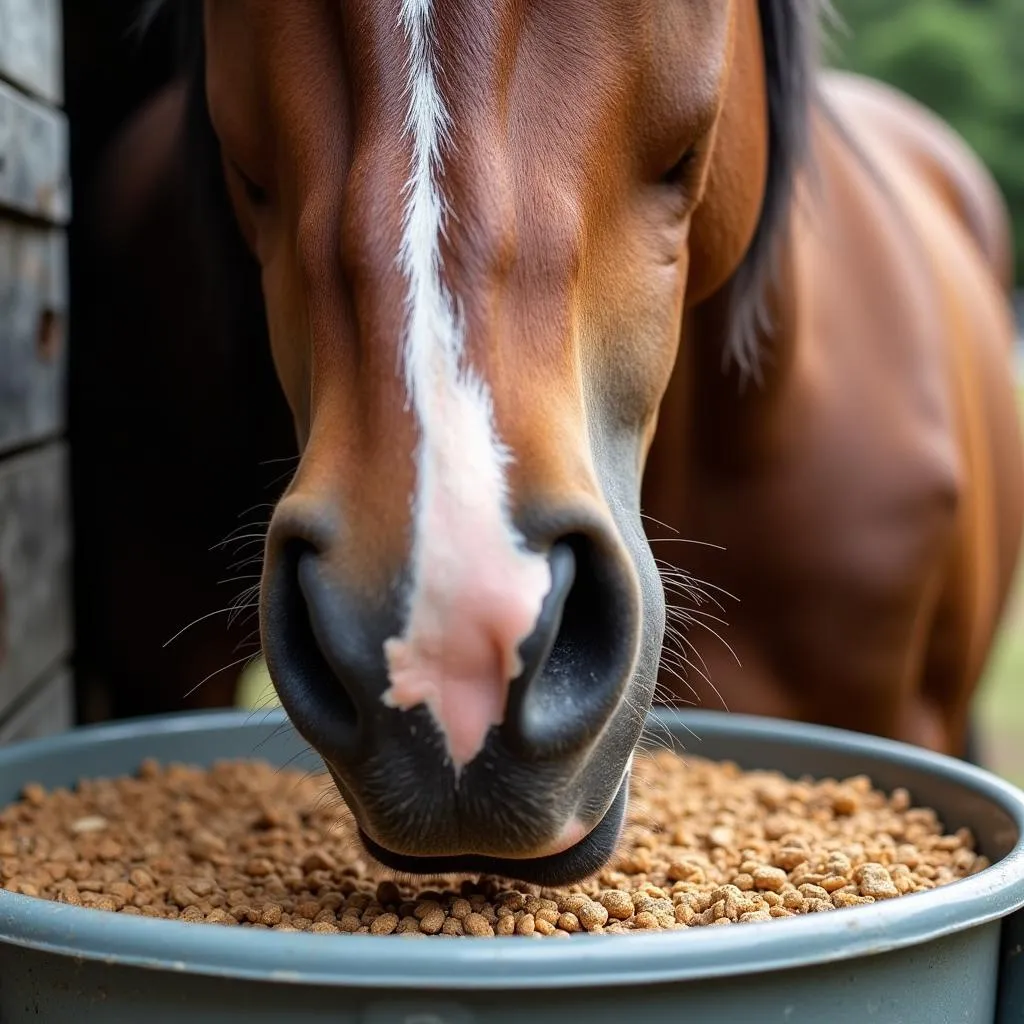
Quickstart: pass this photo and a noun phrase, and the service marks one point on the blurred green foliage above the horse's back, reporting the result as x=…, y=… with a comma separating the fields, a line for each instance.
x=965, y=60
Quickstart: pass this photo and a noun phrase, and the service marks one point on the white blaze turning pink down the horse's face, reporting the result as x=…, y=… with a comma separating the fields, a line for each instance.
x=477, y=592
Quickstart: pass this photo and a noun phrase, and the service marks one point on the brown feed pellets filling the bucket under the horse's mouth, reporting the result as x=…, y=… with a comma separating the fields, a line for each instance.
x=246, y=845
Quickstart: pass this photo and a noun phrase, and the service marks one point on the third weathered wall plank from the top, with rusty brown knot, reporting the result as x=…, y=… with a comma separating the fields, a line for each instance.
x=33, y=329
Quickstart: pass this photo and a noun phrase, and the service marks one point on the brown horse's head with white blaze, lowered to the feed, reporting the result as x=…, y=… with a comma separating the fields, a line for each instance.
x=479, y=228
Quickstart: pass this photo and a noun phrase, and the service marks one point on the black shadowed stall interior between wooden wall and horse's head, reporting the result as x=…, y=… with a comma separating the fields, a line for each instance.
x=181, y=437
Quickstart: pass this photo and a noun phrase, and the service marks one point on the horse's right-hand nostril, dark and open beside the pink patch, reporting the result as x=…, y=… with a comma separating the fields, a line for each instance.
x=578, y=661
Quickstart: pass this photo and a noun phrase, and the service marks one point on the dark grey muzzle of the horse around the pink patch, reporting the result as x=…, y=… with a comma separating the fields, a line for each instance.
x=543, y=796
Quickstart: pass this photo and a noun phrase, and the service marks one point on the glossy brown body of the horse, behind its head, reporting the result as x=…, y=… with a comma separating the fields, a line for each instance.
x=869, y=496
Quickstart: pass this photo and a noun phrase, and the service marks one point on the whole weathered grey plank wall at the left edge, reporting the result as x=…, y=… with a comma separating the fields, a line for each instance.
x=36, y=620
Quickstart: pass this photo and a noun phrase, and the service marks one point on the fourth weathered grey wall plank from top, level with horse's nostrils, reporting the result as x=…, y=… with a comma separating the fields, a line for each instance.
x=36, y=631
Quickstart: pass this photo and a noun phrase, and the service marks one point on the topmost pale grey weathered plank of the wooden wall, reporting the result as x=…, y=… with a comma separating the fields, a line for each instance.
x=31, y=47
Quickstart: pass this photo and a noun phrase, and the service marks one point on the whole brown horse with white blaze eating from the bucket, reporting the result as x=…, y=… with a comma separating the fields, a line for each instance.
x=540, y=280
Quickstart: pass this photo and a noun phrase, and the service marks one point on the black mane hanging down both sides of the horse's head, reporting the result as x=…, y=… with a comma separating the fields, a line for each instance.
x=792, y=35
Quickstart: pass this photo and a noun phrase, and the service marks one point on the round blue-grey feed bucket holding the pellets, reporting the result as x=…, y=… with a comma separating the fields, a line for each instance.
x=950, y=955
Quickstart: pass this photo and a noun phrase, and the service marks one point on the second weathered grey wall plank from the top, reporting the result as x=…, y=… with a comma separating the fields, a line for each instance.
x=34, y=161
